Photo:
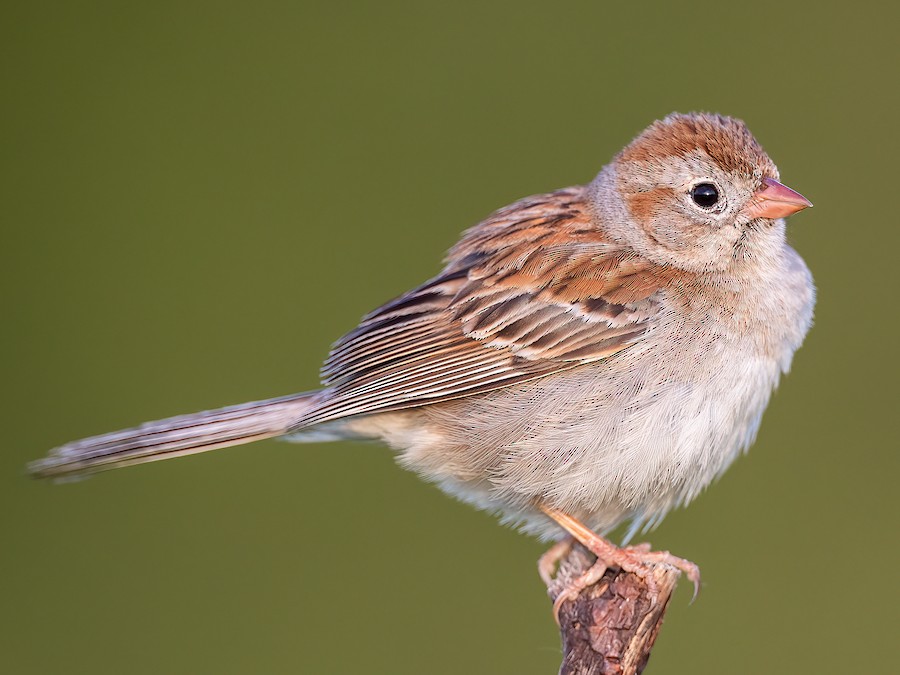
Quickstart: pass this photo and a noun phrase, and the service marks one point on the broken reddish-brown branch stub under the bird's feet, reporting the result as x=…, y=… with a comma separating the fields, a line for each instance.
x=610, y=628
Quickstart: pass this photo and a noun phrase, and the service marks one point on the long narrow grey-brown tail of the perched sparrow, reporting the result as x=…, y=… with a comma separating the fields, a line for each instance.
x=175, y=437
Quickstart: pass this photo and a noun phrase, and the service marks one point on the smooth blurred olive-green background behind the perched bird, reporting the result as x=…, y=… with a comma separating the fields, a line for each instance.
x=196, y=199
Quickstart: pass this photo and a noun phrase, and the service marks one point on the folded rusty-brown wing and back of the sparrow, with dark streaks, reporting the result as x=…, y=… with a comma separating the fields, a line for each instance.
x=533, y=290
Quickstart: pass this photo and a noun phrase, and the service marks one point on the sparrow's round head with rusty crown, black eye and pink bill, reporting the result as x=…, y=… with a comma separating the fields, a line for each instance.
x=695, y=191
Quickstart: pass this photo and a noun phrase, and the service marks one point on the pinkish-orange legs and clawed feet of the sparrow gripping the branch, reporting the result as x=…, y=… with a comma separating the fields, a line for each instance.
x=634, y=559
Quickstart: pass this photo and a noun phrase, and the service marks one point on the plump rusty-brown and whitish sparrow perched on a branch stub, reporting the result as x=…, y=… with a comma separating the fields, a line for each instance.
x=587, y=358
